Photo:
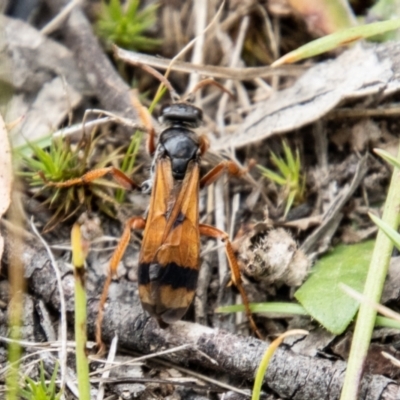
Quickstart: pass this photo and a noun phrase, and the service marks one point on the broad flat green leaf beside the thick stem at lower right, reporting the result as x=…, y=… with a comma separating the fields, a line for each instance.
x=320, y=294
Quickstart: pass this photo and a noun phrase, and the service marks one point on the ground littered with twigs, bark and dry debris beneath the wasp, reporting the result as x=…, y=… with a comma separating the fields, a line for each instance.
x=333, y=111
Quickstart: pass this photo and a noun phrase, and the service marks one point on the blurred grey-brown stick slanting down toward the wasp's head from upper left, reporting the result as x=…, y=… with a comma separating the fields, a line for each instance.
x=110, y=89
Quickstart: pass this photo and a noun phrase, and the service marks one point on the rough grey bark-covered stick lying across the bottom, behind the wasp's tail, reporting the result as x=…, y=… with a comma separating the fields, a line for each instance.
x=289, y=375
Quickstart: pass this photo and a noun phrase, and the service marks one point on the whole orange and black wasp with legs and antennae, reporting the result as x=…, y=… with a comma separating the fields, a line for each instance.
x=170, y=251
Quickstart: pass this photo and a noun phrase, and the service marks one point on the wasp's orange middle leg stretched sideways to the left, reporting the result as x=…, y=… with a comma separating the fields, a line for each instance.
x=121, y=178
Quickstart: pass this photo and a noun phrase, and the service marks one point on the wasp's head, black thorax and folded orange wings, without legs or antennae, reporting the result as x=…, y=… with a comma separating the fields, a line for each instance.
x=170, y=253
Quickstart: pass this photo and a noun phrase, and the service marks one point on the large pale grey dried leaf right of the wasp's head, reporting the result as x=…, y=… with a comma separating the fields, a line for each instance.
x=356, y=73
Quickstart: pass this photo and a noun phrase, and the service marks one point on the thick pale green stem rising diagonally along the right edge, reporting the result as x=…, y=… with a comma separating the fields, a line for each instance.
x=373, y=291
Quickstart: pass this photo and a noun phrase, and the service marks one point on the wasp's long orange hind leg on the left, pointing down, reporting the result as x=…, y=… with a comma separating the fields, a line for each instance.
x=132, y=223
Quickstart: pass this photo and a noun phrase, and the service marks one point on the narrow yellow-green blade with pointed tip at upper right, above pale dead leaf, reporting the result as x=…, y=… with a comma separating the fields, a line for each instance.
x=341, y=38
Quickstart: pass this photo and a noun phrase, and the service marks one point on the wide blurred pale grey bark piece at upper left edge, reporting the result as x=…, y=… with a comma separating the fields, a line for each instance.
x=45, y=82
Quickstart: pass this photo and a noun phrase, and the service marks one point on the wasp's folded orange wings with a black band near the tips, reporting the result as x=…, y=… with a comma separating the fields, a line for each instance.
x=169, y=260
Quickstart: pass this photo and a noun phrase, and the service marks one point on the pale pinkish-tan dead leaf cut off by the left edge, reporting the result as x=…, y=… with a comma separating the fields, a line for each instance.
x=6, y=177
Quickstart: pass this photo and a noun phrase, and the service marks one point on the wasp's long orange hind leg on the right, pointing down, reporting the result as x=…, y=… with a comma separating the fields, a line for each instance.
x=236, y=278
